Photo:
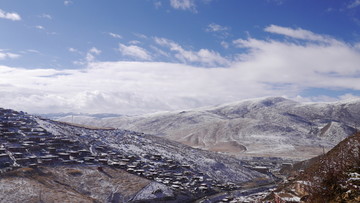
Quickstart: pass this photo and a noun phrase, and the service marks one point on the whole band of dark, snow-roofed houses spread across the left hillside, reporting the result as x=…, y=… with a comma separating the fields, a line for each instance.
x=24, y=143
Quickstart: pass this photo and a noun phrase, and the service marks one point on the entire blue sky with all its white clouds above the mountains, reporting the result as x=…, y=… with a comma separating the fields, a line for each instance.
x=143, y=56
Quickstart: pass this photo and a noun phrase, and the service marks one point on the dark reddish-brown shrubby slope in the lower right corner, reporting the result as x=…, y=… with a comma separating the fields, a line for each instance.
x=332, y=177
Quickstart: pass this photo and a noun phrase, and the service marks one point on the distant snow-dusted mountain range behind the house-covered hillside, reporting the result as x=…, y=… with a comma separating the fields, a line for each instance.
x=272, y=126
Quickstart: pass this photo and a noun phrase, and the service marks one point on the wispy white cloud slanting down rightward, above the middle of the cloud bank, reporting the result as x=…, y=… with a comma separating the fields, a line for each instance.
x=203, y=56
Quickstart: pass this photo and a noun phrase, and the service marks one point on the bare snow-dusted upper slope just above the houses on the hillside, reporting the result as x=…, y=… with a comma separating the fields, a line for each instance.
x=219, y=167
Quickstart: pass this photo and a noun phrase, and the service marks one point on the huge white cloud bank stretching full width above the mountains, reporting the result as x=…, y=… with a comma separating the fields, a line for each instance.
x=268, y=67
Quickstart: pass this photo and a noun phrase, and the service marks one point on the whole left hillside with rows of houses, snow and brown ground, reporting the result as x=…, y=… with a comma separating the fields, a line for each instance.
x=60, y=160
